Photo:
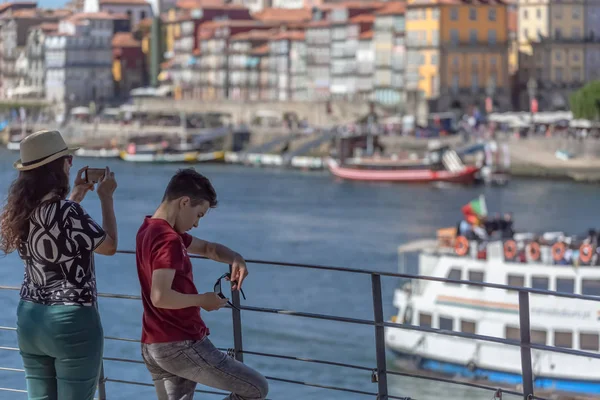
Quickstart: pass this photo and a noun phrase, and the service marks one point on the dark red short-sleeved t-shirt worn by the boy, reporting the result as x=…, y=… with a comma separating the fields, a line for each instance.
x=158, y=246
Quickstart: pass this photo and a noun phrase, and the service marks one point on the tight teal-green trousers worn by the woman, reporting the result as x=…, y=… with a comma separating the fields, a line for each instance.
x=61, y=347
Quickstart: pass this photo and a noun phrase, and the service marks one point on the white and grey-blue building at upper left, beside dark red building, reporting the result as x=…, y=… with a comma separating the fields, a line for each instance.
x=79, y=59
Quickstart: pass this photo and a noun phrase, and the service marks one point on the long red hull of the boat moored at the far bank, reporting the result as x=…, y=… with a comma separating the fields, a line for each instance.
x=465, y=176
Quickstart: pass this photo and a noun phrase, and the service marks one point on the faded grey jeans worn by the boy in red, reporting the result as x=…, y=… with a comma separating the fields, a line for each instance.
x=176, y=368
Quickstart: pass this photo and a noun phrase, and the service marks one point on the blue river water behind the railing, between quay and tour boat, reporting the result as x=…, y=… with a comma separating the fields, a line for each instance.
x=292, y=216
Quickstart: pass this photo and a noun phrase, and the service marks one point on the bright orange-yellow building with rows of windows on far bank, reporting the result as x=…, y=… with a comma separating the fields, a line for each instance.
x=457, y=51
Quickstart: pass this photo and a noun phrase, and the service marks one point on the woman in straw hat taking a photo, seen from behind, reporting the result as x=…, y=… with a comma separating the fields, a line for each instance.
x=58, y=326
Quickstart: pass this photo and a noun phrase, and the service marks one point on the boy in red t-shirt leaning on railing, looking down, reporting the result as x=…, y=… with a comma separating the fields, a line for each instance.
x=175, y=344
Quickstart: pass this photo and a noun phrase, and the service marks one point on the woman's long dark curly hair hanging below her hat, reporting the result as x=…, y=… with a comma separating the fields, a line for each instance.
x=25, y=195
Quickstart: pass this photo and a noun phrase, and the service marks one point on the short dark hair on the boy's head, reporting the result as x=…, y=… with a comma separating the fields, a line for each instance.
x=188, y=182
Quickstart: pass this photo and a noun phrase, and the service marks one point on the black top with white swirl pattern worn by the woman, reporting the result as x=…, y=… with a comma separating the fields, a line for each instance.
x=59, y=255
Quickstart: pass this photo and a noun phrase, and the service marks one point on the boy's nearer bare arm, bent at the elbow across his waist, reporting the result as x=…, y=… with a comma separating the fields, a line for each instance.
x=163, y=296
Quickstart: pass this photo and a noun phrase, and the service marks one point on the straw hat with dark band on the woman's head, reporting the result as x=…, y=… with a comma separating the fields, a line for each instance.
x=41, y=148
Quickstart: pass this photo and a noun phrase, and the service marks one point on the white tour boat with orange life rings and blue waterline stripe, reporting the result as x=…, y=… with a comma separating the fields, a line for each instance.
x=552, y=261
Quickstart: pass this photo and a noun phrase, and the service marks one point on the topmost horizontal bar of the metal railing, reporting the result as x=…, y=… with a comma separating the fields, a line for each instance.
x=410, y=276
